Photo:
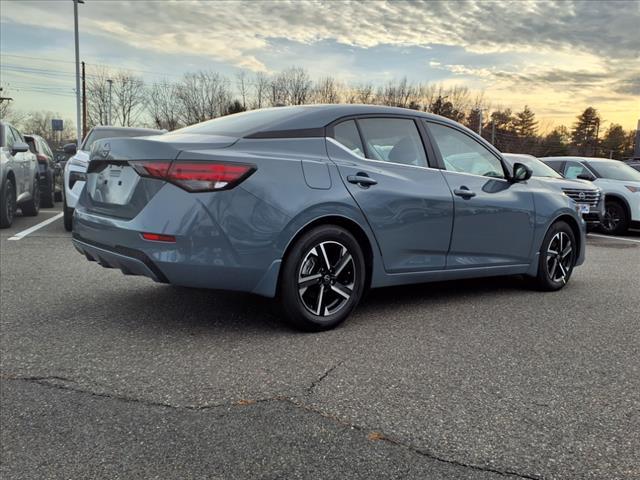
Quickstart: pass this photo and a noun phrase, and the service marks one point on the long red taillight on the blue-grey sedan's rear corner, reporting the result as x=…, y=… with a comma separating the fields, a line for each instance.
x=196, y=176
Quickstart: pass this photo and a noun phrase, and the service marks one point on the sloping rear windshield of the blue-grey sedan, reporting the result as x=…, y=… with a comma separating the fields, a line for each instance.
x=242, y=124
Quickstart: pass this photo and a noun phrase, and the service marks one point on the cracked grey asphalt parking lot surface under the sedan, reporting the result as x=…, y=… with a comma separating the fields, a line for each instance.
x=106, y=376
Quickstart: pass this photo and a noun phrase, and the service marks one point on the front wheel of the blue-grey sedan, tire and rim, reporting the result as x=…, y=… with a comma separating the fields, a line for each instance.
x=557, y=258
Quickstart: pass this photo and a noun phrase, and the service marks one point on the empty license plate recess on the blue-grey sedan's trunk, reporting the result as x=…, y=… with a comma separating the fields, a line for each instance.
x=114, y=184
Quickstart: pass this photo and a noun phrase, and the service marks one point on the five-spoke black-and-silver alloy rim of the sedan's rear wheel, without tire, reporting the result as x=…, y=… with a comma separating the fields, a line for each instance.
x=326, y=278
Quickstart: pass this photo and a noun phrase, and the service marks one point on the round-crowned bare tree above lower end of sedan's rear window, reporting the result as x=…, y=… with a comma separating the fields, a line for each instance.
x=203, y=96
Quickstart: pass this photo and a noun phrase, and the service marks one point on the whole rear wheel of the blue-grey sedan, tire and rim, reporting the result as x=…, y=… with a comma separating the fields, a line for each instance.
x=332, y=291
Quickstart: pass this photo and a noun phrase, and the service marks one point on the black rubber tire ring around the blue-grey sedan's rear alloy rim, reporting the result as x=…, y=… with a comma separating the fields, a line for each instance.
x=295, y=312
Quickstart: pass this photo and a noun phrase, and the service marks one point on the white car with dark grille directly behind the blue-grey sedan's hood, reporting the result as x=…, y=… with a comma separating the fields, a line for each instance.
x=588, y=197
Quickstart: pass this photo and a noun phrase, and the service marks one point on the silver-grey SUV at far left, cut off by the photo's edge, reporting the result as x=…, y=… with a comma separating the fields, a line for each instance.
x=20, y=186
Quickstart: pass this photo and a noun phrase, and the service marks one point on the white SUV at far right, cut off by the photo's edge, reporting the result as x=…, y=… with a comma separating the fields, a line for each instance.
x=619, y=182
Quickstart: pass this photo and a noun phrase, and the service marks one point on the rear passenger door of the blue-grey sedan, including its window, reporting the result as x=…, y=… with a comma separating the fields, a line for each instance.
x=407, y=203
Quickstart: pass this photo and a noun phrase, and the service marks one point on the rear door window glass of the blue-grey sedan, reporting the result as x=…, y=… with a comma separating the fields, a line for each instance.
x=393, y=140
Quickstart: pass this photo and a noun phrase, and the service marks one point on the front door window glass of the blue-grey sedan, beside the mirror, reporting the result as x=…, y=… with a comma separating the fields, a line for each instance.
x=461, y=153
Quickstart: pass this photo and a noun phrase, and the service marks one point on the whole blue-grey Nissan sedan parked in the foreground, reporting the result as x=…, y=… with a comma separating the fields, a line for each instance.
x=317, y=204
